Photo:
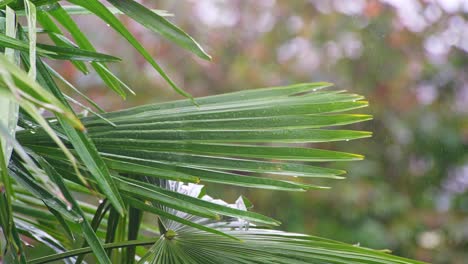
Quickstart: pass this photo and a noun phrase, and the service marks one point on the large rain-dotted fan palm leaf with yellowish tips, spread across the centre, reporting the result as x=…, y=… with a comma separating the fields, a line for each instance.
x=165, y=142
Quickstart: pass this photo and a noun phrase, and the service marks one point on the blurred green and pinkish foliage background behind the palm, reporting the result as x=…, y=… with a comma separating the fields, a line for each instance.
x=408, y=57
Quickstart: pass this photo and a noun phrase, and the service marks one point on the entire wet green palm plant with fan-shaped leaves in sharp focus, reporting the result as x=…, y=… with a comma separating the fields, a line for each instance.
x=135, y=161
